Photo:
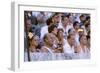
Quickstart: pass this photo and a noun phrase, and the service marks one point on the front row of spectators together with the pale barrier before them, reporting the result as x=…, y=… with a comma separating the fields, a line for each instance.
x=65, y=51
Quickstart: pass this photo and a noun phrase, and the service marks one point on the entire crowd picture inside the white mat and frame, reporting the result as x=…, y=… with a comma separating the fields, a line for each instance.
x=56, y=36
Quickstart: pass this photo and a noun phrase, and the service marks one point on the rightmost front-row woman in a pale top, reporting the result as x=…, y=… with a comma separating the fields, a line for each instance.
x=83, y=51
